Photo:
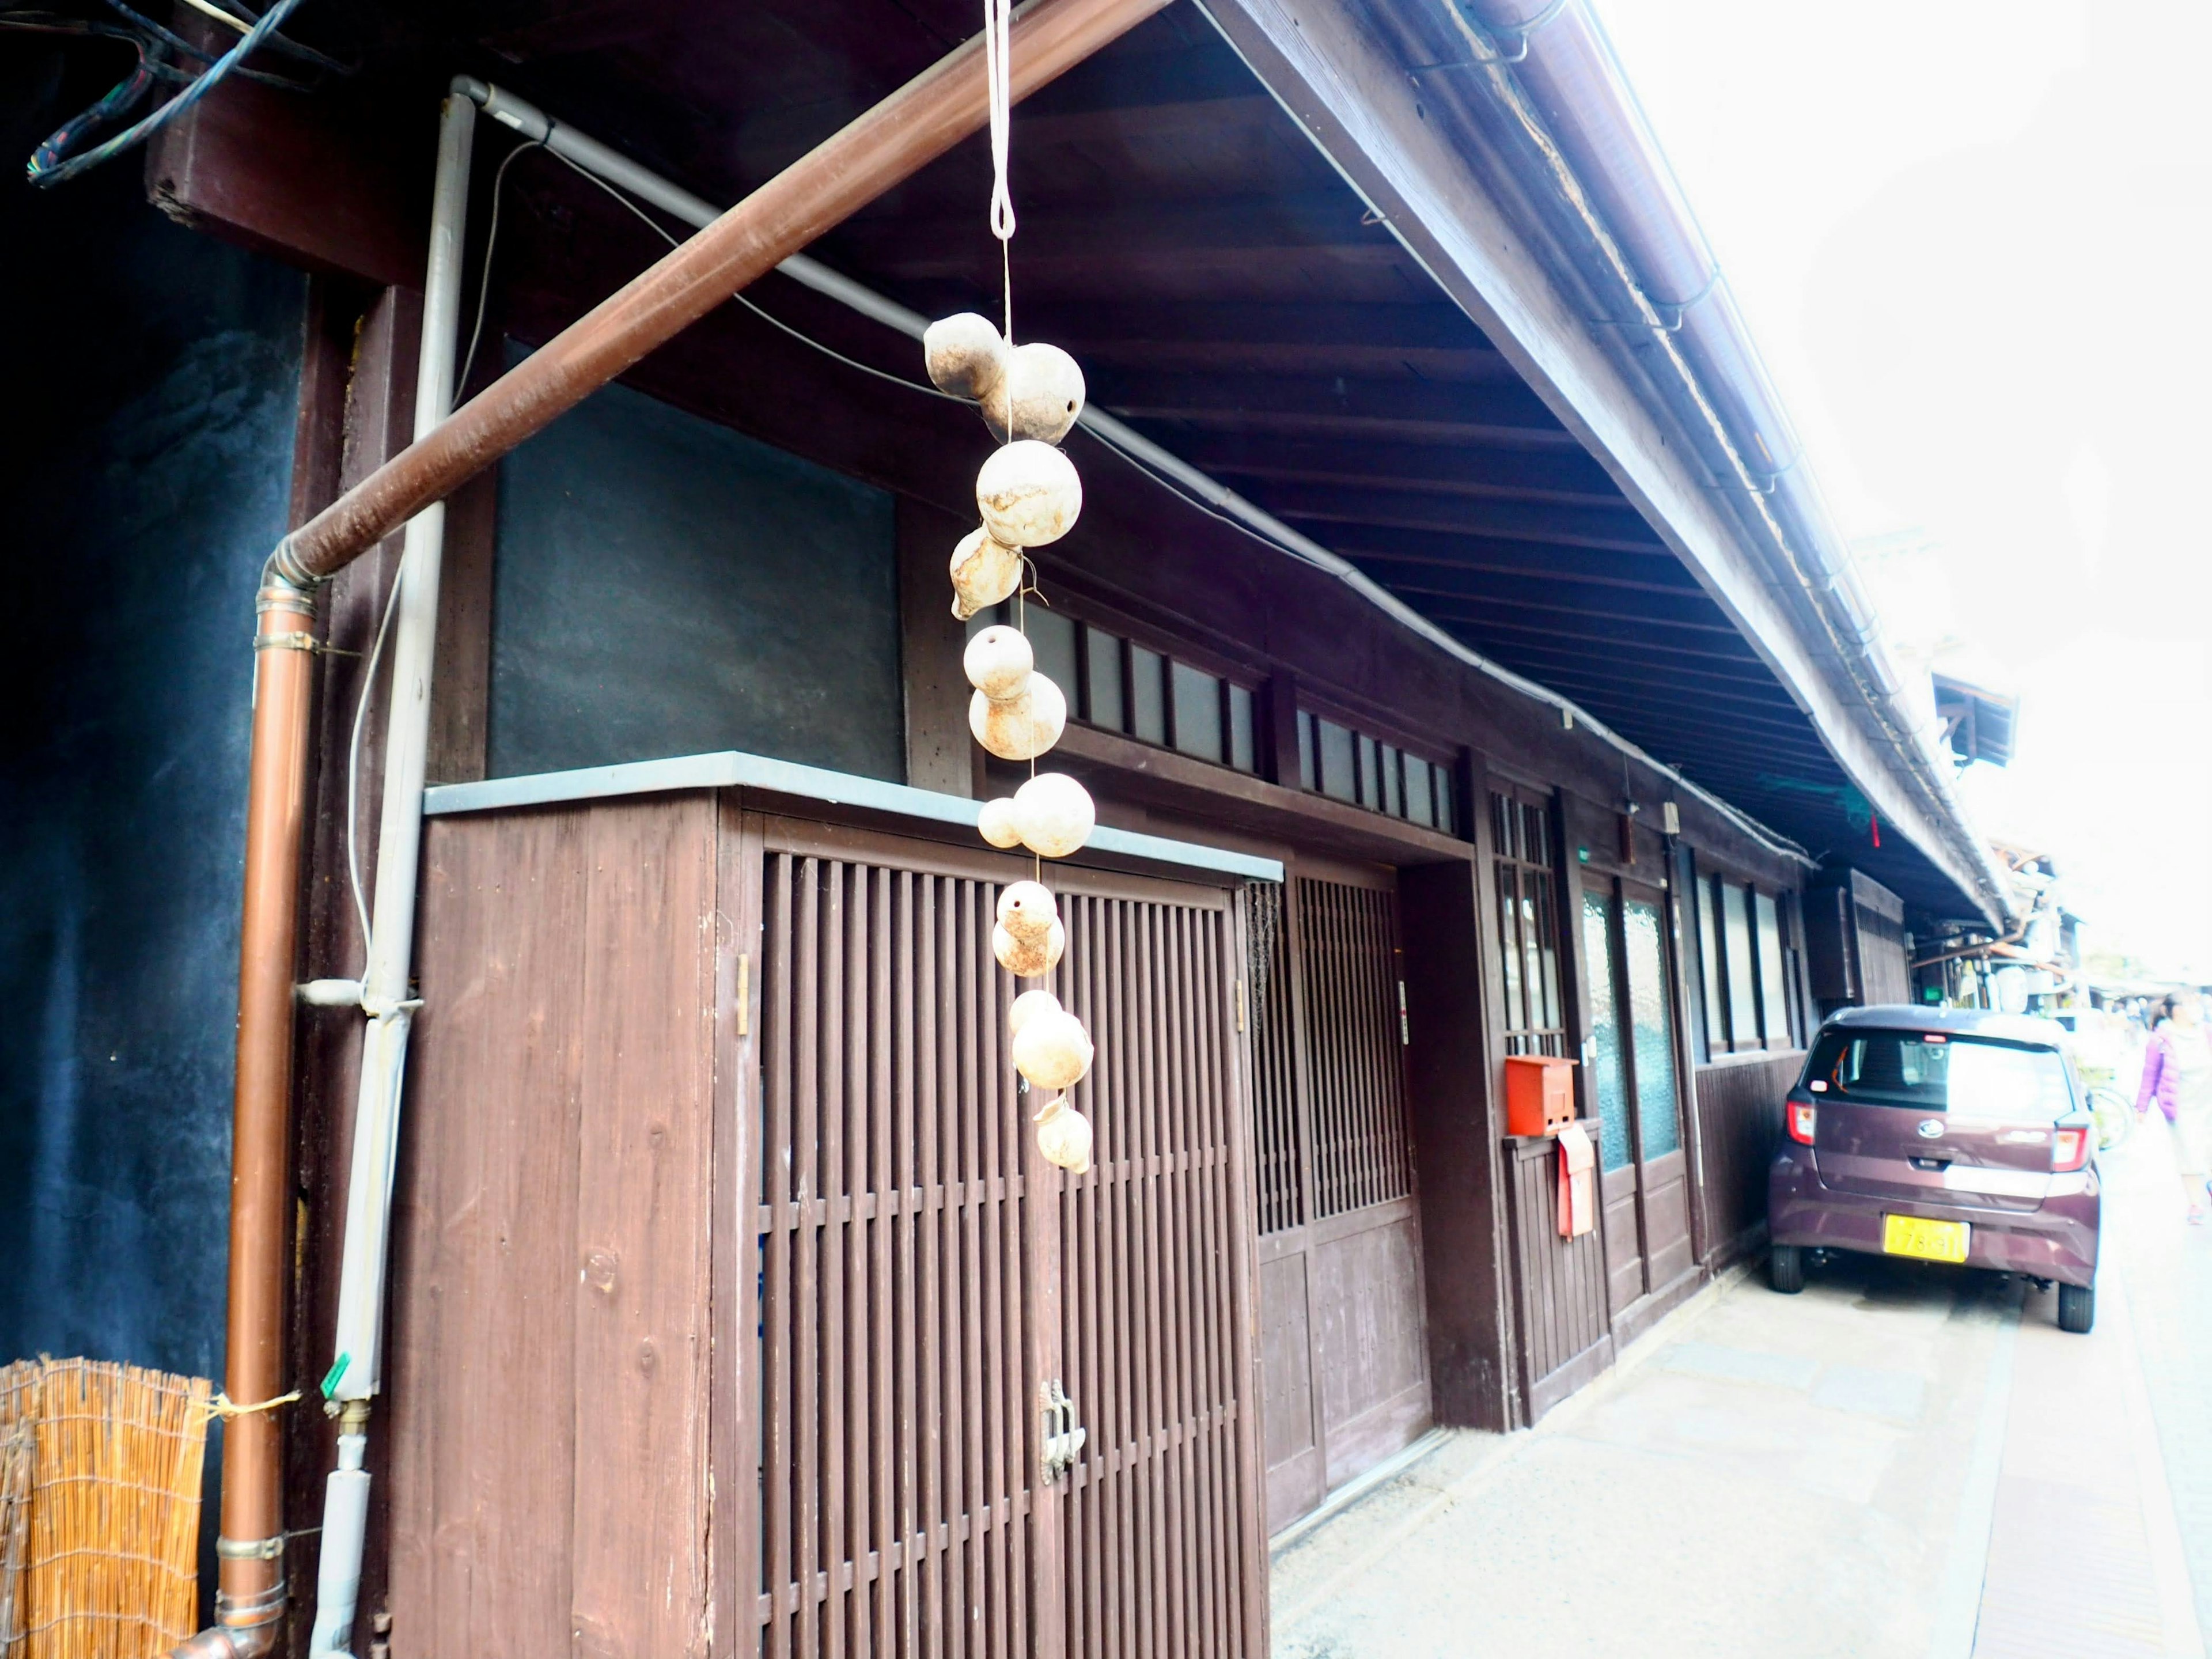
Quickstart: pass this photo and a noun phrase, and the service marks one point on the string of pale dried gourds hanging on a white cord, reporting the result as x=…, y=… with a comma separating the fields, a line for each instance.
x=1027, y=497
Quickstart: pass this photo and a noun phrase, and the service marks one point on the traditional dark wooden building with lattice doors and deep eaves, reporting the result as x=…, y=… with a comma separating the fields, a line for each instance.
x=1454, y=647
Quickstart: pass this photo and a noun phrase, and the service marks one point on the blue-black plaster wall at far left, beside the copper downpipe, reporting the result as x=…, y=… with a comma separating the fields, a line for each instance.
x=149, y=390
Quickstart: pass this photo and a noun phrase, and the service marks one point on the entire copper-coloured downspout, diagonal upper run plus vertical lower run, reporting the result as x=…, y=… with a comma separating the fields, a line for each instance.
x=842, y=176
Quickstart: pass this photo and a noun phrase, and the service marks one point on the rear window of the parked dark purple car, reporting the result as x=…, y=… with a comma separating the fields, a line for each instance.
x=1941, y=1074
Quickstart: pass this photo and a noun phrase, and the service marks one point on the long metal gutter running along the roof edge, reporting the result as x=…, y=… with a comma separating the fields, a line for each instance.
x=1556, y=74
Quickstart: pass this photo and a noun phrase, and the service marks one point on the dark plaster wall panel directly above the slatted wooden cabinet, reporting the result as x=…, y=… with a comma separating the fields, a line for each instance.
x=671, y=587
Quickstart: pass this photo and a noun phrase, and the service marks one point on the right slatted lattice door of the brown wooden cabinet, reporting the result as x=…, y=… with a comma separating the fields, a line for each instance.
x=1165, y=1538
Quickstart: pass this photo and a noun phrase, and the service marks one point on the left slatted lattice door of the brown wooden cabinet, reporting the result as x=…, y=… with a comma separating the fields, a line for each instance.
x=897, y=1439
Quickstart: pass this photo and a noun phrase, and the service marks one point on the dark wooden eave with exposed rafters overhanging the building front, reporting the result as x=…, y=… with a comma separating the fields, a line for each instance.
x=1269, y=255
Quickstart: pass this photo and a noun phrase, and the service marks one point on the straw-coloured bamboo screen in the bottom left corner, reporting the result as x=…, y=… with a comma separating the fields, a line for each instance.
x=98, y=1510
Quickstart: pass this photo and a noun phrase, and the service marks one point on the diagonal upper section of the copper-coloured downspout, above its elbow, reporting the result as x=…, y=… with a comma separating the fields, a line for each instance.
x=820, y=191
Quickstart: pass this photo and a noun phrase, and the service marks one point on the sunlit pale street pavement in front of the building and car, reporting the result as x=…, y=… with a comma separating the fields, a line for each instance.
x=1906, y=1461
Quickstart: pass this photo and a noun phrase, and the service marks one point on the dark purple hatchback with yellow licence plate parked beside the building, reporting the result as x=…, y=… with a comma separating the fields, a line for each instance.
x=1941, y=1136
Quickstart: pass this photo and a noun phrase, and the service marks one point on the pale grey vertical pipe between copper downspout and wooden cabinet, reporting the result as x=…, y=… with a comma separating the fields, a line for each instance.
x=386, y=997
